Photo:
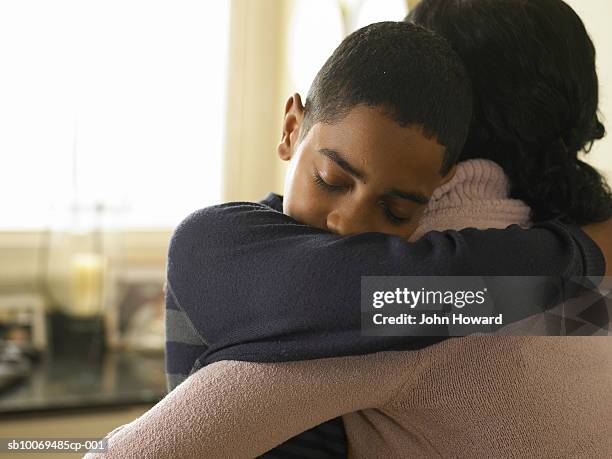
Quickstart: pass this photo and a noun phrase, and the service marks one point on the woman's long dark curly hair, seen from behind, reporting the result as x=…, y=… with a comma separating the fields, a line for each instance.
x=532, y=66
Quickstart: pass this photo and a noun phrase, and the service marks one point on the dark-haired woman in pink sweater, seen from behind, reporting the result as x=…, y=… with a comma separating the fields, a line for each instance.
x=476, y=396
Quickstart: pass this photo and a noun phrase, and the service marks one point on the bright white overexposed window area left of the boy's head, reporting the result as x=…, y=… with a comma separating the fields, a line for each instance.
x=112, y=103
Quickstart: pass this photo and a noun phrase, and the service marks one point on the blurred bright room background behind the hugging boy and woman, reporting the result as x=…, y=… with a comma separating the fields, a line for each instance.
x=118, y=119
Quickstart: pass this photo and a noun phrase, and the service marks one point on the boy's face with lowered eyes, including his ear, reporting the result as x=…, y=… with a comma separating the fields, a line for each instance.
x=364, y=173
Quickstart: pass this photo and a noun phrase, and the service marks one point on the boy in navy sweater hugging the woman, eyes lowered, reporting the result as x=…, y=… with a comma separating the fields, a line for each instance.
x=382, y=127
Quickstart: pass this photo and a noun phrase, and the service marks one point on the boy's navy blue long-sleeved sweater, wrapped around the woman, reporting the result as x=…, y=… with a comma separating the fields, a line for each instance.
x=247, y=282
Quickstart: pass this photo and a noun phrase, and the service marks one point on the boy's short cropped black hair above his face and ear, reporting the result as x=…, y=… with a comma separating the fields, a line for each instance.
x=410, y=72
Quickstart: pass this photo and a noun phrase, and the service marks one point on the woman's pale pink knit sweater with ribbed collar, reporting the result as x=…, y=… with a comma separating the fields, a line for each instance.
x=470, y=397
